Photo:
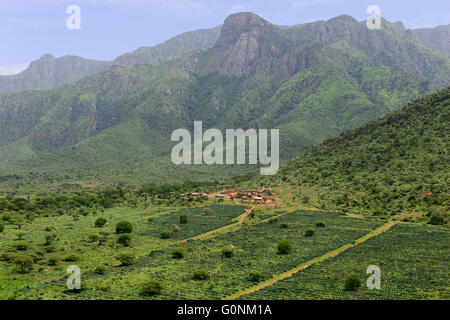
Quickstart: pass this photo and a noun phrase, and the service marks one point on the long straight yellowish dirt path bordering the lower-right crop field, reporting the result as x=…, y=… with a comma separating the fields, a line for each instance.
x=305, y=265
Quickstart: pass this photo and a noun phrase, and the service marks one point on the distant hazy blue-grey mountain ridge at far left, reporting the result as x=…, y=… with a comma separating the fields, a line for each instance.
x=50, y=72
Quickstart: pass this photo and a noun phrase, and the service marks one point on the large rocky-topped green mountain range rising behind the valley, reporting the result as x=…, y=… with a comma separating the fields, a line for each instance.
x=312, y=81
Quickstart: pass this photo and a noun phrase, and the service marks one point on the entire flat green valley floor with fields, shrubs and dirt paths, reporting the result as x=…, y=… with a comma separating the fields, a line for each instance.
x=413, y=258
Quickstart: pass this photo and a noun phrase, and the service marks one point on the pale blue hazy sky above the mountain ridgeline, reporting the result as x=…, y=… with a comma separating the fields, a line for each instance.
x=30, y=28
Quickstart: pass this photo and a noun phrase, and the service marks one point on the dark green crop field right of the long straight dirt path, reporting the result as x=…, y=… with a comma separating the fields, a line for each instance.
x=414, y=262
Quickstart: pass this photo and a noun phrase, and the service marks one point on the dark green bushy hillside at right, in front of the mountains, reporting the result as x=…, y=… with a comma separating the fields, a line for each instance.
x=390, y=166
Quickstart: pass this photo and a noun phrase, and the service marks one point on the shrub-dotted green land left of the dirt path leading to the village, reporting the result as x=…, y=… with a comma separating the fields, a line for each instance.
x=72, y=239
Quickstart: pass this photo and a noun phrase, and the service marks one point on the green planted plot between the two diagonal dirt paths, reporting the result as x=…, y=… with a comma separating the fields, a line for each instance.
x=254, y=248
